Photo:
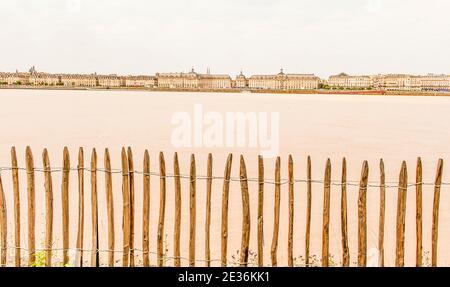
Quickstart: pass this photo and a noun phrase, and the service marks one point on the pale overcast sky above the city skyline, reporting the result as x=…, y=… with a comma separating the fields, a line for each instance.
x=258, y=36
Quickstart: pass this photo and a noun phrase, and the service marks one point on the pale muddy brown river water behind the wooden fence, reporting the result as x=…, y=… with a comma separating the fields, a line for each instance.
x=357, y=127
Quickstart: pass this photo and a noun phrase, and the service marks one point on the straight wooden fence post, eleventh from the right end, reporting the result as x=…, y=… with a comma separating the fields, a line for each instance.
x=260, y=211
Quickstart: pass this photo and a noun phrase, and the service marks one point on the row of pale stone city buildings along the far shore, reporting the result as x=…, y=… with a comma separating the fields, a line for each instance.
x=193, y=80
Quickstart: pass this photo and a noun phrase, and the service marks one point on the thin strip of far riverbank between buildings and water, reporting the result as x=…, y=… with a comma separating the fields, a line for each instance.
x=299, y=92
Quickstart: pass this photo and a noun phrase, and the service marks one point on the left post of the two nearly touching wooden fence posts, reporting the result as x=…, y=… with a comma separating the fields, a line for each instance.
x=126, y=209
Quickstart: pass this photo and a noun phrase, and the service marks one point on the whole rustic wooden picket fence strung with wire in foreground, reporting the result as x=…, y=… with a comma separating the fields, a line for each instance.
x=129, y=249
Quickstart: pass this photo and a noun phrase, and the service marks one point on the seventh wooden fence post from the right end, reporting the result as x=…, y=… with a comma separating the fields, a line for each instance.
x=326, y=216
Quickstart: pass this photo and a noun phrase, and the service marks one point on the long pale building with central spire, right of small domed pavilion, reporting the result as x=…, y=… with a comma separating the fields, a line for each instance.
x=283, y=81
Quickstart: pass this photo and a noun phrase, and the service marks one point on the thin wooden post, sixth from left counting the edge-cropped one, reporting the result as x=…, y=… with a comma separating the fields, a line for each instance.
x=80, y=231
